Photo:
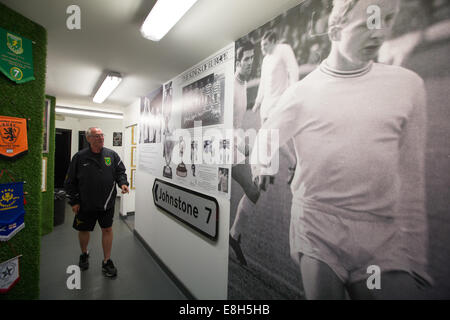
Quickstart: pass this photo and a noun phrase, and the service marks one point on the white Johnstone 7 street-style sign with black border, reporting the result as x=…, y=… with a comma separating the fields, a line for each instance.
x=199, y=211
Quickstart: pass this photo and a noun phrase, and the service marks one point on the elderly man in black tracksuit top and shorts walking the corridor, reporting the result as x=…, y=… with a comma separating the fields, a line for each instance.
x=91, y=188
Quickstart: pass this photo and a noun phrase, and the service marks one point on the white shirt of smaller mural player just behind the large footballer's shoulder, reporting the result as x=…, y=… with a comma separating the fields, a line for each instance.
x=279, y=70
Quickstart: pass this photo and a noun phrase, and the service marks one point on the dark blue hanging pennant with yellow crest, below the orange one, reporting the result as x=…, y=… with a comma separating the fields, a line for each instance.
x=12, y=211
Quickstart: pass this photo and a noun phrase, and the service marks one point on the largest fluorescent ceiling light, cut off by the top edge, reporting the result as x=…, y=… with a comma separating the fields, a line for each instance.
x=164, y=15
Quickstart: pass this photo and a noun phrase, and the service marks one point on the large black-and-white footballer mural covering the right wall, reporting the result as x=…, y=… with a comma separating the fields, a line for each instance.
x=355, y=147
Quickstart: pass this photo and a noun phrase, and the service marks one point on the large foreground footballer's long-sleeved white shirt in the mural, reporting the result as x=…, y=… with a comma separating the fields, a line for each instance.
x=360, y=142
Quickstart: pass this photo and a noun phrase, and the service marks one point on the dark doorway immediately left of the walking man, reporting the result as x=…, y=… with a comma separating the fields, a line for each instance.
x=63, y=139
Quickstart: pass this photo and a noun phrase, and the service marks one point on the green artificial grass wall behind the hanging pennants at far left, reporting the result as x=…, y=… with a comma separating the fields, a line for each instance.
x=26, y=101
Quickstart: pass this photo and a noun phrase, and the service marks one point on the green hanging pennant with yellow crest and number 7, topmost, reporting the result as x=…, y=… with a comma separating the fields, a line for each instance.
x=16, y=57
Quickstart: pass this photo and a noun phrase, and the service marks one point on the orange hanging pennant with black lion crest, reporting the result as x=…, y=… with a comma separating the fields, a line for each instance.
x=13, y=136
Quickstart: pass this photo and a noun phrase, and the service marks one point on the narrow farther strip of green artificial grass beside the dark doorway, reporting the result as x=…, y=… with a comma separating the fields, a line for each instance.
x=48, y=196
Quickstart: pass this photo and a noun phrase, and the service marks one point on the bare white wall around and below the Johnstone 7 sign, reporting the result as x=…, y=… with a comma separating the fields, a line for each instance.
x=200, y=264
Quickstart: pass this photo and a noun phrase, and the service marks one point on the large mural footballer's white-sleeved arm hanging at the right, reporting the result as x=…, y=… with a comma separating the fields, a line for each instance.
x=411, y=206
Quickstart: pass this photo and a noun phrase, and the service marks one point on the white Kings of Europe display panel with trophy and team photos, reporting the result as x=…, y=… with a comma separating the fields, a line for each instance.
x=189, y=138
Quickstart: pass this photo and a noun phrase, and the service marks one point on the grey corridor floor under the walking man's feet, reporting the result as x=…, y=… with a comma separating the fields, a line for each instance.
x=139, y=276
